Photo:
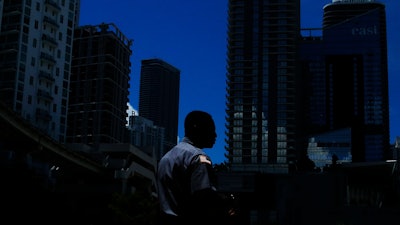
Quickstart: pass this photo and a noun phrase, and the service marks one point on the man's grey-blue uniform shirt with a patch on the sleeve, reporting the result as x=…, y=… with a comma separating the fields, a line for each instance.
x=183, y=170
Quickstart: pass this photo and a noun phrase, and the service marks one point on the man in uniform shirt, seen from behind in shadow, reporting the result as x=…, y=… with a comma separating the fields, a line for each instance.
x=186, y=181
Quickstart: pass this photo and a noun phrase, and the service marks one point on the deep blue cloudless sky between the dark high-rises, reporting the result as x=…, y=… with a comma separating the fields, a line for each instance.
x=191, y=35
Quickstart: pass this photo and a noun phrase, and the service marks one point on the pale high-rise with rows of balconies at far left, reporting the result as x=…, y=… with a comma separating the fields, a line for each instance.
x=35, y=61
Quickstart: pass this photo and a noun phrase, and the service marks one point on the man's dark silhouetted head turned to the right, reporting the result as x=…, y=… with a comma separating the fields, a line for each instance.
x=200, y=129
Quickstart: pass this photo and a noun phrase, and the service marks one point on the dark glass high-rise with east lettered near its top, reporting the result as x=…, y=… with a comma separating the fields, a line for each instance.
x=355, y=49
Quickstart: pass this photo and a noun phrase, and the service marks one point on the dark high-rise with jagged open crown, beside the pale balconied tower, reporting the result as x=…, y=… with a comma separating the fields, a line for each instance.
x=99, y=86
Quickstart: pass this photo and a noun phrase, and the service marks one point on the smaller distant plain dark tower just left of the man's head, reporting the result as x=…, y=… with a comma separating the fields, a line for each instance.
x=159, y=97
